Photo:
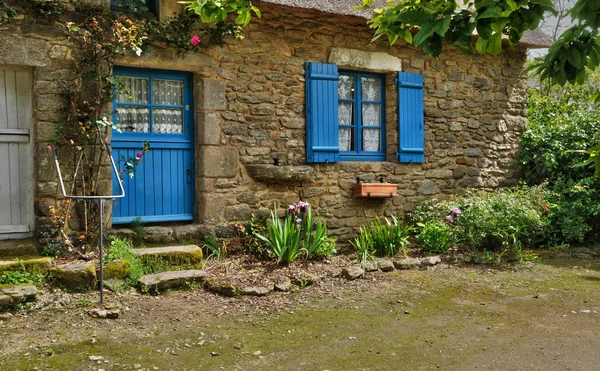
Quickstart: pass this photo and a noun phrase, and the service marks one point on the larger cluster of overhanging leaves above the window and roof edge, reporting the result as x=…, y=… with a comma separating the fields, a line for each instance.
x=440, y=21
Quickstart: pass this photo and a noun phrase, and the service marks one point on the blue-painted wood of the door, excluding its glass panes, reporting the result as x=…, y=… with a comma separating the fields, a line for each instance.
x=162, y=188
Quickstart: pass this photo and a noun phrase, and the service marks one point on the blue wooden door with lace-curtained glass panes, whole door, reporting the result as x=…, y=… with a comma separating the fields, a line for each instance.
x=154, y=106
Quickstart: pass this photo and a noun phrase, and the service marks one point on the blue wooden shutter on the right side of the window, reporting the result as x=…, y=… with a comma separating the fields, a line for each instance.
x=411, y=127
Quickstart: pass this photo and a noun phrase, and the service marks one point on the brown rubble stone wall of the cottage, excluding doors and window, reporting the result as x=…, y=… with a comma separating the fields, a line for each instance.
x=249, y=102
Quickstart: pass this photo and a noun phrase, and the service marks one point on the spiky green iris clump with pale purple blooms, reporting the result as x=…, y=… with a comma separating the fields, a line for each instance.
x=299, y=234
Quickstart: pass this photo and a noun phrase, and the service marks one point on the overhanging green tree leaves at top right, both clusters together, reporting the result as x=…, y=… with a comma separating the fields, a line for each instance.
x=577, y=49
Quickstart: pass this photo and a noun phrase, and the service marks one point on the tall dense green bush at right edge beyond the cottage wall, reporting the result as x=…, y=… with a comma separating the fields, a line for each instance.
x=564, y=123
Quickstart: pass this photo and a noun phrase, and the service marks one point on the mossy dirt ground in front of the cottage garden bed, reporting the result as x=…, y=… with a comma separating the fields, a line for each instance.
x=537, y=317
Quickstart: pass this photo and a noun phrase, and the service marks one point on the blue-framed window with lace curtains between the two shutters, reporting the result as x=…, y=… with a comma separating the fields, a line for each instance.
x=361, y=116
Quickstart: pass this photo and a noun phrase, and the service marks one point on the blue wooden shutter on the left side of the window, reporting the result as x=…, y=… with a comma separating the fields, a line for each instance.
x=322, y=143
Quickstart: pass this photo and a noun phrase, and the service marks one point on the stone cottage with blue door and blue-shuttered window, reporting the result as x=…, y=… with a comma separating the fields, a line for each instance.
x=299, y=110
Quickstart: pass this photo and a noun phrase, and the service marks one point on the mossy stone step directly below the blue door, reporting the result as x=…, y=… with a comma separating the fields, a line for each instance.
x=186, y=256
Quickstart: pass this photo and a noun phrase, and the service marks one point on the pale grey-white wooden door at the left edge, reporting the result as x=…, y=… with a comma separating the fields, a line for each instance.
x=16, y=170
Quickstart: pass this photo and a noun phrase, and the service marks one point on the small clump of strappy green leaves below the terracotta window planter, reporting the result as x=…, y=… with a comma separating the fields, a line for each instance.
x=385, y=239
